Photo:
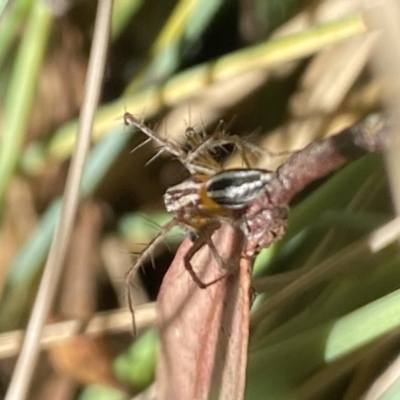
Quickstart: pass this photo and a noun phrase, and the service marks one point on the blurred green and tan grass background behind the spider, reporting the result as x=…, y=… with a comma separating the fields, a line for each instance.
x=281, y=73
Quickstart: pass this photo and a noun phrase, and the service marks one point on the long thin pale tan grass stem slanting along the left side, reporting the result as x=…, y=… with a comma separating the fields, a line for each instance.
x=25, y=367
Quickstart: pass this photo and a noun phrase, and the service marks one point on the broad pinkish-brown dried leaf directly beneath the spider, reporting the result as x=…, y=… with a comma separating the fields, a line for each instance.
x=204, y=332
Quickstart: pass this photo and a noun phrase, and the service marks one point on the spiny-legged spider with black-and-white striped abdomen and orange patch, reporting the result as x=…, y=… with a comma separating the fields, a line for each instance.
x=208, y=197
